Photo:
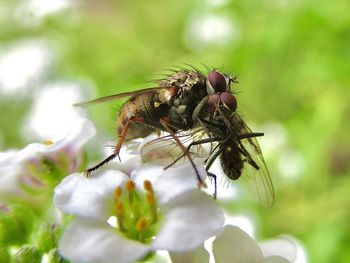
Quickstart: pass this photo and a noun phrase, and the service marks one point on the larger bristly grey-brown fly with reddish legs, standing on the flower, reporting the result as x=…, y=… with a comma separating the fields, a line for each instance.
x=174, y=105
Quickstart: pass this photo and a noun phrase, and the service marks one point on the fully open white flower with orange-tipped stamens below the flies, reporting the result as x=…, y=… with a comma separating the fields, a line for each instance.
x=169, y=214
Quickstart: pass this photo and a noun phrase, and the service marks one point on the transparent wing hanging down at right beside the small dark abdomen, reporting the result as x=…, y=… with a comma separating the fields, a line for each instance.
x=256, y=176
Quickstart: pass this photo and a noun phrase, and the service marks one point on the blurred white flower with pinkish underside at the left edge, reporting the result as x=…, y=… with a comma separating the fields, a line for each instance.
x=24, y=167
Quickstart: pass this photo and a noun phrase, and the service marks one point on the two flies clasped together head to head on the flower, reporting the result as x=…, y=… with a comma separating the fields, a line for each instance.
x=189, y=99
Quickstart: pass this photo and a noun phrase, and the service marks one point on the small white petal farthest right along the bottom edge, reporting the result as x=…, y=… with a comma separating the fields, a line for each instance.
x=284, y=247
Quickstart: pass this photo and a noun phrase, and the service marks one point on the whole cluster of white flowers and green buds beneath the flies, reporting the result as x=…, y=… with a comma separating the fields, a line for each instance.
x=124, y=212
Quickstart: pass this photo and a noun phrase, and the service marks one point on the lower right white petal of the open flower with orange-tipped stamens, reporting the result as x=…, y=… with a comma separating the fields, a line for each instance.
x=189, y=220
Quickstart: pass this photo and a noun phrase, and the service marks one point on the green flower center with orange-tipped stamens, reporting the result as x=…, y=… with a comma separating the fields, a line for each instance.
x=137, y=212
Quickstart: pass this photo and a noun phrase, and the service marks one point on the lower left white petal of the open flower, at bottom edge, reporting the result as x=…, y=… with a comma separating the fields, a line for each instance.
x=95, y=241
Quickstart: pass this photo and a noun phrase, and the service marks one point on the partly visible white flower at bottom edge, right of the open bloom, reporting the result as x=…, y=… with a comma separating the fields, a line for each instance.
x=234, y=245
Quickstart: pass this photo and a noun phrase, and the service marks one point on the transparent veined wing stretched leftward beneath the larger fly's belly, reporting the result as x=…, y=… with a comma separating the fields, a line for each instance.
x=165, y=150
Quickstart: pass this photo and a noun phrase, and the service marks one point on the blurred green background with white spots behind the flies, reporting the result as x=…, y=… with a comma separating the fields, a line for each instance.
x=292, y=59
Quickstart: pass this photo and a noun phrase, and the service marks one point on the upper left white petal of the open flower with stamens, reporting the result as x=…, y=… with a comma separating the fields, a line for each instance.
x=88, y=197
